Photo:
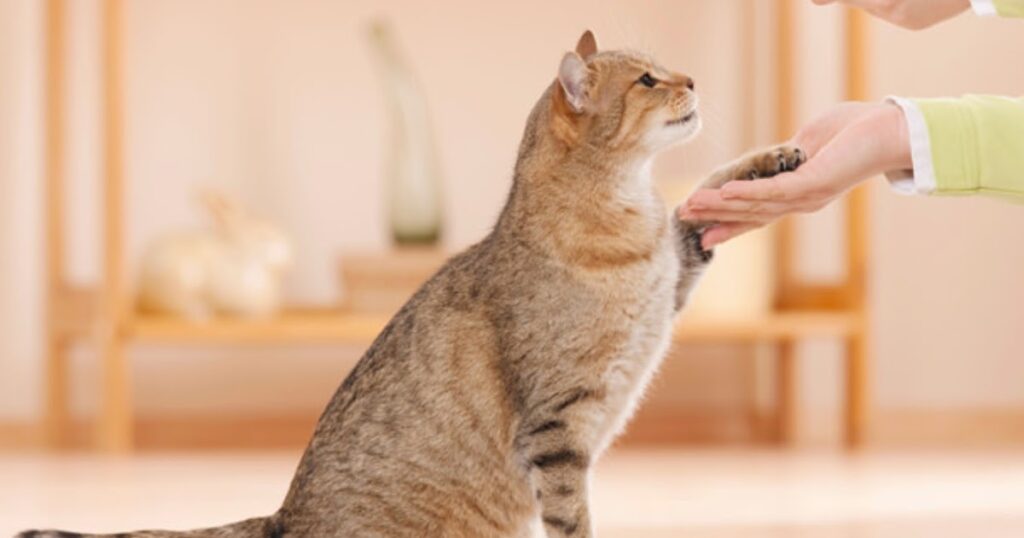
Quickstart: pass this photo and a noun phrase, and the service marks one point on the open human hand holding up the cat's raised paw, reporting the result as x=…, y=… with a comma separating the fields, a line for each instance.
x=849, y=144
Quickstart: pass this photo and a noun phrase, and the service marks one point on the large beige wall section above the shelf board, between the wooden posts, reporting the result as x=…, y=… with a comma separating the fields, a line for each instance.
x=282, y=104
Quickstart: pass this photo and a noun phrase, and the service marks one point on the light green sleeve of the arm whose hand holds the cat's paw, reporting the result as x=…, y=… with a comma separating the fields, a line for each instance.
x=977, y=144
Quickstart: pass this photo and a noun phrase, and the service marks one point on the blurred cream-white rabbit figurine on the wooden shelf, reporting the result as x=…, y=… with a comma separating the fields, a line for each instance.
x=234, y=269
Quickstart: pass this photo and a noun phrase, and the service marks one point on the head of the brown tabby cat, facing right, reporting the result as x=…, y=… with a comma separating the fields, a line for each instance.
x=622, y=101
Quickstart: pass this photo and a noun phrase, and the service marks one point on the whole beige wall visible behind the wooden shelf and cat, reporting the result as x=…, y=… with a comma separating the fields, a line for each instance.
x=281, y=106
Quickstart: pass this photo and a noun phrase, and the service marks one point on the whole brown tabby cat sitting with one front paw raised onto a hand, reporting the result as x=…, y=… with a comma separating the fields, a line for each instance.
x=482, y=406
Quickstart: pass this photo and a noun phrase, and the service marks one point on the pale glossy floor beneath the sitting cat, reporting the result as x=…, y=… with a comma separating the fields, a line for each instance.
x=707, y=493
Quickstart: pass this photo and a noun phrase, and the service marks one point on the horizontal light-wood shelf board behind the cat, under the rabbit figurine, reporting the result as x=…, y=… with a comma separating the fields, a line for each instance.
x=335, y=327
